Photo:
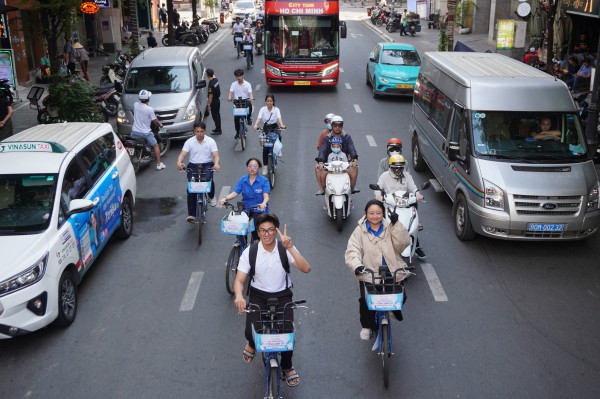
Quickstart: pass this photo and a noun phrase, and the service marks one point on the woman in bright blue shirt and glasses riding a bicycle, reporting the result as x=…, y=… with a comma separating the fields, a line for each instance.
x=255, y=191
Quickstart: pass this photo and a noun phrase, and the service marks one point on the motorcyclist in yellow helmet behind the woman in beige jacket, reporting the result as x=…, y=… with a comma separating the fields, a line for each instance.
x=397, y=178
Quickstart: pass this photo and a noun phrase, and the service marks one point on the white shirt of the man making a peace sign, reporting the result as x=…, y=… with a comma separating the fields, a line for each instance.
x=269, y=275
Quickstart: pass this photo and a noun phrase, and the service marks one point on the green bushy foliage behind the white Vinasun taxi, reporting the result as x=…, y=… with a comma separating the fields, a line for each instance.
x=75, y=102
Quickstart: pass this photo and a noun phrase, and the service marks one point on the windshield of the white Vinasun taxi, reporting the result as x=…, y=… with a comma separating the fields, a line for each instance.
x=26, y=203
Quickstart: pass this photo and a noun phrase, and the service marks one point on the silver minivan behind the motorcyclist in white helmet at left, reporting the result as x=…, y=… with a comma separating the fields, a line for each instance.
x=176, y=78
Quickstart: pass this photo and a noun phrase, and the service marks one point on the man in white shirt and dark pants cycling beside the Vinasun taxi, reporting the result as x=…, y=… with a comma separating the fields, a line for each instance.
x=204, y=159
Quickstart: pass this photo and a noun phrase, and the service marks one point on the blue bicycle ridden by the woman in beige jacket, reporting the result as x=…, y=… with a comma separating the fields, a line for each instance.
x=384, y=296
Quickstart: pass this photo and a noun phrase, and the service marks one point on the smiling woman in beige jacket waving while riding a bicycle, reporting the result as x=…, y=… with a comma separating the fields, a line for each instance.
x=375, y=243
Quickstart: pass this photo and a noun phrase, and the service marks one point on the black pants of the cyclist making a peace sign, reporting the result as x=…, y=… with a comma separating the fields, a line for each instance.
x=260, y=298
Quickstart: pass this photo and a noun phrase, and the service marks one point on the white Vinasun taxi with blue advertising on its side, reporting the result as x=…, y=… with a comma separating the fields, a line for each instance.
x=64, y=190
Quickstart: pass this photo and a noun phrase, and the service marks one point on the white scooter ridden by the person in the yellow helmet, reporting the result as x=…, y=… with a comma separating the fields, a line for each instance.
x=400, y=202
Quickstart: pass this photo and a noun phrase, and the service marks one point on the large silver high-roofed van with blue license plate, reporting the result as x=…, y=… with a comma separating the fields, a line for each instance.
x=504, y=141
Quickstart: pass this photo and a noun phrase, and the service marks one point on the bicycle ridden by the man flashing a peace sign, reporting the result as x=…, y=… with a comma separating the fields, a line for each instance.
x=272, y=335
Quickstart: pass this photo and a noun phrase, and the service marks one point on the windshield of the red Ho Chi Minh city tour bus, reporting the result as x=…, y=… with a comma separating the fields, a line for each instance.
x=301, y=36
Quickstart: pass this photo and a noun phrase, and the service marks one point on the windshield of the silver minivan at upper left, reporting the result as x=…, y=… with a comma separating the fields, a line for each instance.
x=163, y=79
